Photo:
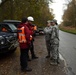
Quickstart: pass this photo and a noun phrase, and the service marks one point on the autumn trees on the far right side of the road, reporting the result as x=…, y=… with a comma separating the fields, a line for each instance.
x=69, y=17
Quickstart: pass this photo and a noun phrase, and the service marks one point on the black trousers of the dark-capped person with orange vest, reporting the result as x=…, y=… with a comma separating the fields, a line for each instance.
x=24, y=58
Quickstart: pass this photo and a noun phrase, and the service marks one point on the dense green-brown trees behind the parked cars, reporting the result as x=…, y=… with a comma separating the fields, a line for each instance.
x=16, y=9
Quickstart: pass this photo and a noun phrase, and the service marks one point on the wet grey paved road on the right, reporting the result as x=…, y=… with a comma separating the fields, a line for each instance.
x=68, y=50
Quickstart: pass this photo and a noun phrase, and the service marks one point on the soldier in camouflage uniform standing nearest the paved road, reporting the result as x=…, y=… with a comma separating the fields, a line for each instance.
x=54, y=43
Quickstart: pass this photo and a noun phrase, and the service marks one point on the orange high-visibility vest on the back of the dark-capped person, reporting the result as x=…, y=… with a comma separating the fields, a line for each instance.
x=21, y=35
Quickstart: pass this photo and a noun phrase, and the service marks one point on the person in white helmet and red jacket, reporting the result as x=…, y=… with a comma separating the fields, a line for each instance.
x=31, y=28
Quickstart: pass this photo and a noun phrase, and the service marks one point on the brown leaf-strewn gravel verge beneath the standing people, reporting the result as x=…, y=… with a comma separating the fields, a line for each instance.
x=10, y=64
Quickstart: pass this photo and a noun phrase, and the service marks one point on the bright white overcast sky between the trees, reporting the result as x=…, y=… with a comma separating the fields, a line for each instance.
x=58, y=7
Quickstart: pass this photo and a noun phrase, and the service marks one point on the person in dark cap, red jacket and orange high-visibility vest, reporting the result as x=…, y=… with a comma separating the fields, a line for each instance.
x=24, y=43
